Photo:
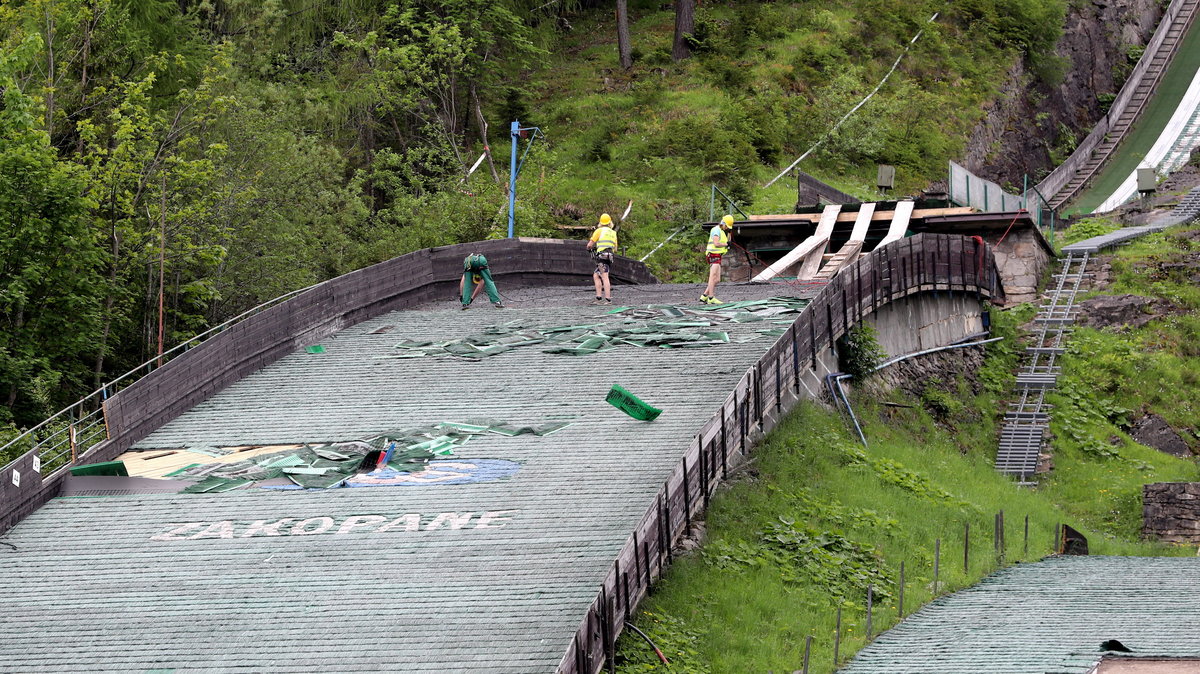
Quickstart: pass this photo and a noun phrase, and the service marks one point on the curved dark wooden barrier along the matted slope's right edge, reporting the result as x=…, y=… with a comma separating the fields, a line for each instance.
x=917, y=264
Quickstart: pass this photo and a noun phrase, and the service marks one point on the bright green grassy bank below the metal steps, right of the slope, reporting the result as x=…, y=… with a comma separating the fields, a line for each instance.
x=819, y=517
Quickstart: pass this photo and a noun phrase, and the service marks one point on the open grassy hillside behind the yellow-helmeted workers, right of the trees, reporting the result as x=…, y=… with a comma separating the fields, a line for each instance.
x=767, y=82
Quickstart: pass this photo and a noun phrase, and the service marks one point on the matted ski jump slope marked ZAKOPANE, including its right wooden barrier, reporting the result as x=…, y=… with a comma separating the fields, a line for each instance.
x=490, y=565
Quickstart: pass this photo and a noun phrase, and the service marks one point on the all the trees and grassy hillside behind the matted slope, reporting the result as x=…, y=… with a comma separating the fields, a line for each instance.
x=169, y=165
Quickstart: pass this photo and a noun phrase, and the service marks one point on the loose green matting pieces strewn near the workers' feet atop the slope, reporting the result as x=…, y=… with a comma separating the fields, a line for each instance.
x=665, y=327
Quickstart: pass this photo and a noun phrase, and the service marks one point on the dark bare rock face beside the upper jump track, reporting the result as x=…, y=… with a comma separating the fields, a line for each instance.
x=1030, y=118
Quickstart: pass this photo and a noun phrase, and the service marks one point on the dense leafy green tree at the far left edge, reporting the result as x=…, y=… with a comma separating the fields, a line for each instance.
x=50, y=260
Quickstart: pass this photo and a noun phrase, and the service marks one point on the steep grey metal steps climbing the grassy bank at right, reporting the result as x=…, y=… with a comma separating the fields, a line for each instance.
x=1028, y=420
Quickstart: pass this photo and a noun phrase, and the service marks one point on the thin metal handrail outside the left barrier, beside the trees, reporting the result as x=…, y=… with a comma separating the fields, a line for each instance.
x=75, y=412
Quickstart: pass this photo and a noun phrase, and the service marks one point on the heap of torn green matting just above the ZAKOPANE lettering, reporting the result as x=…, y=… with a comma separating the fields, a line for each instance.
x=329, y=466
